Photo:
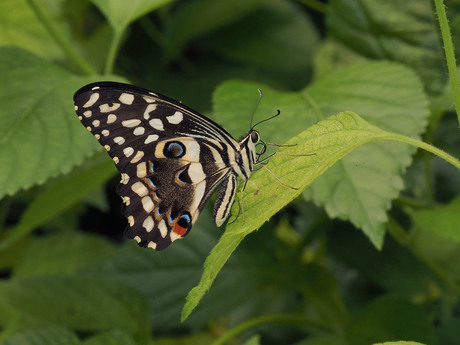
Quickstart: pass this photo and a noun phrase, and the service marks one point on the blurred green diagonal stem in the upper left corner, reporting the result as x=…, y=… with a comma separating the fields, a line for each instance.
x=44, y=17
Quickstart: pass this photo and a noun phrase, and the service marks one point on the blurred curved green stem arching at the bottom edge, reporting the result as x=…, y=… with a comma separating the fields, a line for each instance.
x=258, y=321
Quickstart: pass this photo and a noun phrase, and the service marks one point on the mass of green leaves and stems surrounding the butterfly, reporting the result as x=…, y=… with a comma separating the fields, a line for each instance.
x=367, y=250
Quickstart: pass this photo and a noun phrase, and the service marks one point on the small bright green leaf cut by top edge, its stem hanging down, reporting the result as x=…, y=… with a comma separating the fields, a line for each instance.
x=122, y=13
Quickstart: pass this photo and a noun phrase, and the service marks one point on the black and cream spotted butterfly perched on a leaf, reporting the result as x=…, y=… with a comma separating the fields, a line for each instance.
x=171, y=159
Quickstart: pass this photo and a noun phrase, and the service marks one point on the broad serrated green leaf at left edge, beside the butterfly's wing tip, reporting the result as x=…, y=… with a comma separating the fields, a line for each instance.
x=40, y=135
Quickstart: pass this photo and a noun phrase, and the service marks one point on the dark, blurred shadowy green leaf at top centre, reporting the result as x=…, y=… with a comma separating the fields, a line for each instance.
x=277, y=24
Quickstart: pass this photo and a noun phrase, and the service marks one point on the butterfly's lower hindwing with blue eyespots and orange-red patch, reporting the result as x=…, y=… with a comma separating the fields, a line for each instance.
x=164, y=197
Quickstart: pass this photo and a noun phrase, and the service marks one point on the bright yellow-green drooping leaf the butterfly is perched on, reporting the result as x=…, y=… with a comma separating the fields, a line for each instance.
x=331, y=140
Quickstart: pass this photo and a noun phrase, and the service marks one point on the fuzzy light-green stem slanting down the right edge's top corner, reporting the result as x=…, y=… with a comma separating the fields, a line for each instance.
x=450, y=54
